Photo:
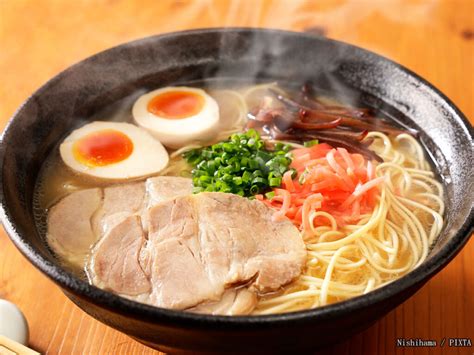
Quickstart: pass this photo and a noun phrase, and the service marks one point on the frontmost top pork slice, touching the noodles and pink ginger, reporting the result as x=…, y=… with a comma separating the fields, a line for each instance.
x=231, y=238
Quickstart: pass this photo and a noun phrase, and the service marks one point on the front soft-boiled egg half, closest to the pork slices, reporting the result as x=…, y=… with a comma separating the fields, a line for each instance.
x=113, y=150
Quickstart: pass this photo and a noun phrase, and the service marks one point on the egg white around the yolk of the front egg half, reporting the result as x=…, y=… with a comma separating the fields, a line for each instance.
x=148, y=156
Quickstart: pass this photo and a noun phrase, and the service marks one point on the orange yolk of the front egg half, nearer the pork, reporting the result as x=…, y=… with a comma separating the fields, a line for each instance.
x=102, y=148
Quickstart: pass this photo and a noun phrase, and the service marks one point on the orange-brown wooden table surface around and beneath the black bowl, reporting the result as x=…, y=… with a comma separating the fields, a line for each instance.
x=433, y=38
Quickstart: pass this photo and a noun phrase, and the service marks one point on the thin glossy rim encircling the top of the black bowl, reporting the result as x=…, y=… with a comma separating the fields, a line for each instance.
x=140, y=311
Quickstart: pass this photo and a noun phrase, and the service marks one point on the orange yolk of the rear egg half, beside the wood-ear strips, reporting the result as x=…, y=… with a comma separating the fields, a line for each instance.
x=176, y=104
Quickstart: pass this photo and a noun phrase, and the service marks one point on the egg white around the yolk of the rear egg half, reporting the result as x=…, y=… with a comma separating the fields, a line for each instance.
x=176, y=133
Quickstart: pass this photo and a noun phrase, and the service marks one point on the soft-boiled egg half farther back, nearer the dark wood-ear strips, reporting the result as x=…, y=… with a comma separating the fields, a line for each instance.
x=177, y=116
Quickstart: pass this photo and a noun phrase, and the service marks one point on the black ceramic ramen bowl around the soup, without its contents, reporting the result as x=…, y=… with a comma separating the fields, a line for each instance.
x=77, y=93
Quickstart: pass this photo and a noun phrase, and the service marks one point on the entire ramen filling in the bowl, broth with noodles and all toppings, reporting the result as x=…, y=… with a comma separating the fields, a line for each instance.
x=279, y=199
